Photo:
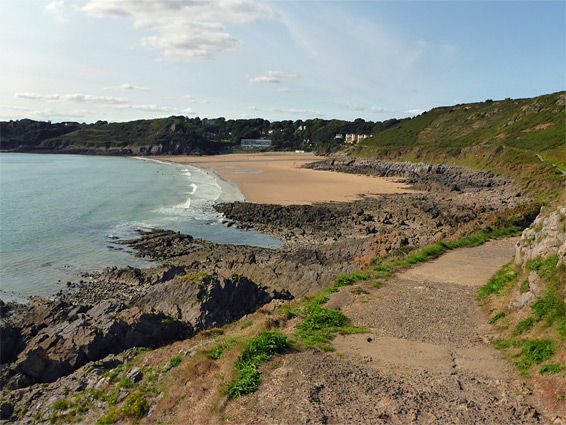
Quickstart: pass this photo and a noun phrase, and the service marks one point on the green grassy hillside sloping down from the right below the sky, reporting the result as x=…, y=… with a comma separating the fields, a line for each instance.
x=524, y=139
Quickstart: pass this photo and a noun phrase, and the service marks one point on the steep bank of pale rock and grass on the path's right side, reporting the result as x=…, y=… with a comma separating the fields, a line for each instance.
x=528, y=307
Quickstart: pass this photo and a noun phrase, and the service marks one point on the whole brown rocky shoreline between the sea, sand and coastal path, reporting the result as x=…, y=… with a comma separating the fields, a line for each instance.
x=200, y=284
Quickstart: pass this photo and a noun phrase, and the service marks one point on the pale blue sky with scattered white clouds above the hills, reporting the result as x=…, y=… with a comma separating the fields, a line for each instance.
x=122, y=60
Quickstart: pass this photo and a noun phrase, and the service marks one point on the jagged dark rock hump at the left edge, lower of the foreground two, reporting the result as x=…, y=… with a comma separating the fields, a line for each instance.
x=81, y=335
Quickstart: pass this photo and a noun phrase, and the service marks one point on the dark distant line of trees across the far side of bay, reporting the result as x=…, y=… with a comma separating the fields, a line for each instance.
x=180, y=135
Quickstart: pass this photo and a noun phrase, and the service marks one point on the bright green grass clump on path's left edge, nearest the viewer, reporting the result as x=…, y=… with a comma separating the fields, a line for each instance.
x=256, y=351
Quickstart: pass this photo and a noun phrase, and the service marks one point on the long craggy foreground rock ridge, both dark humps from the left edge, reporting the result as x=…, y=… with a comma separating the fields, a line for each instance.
x=48, y=340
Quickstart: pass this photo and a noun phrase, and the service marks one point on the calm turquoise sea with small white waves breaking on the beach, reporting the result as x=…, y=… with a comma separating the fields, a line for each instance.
x=62, y=215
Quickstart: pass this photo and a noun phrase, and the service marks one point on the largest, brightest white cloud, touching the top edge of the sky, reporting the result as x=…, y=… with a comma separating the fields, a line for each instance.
x=183, y=30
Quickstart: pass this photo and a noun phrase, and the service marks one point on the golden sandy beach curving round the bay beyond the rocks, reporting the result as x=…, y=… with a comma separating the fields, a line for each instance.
x=276, y=178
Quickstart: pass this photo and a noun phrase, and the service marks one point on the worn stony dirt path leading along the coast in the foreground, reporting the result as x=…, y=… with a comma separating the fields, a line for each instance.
x=426, y=360
